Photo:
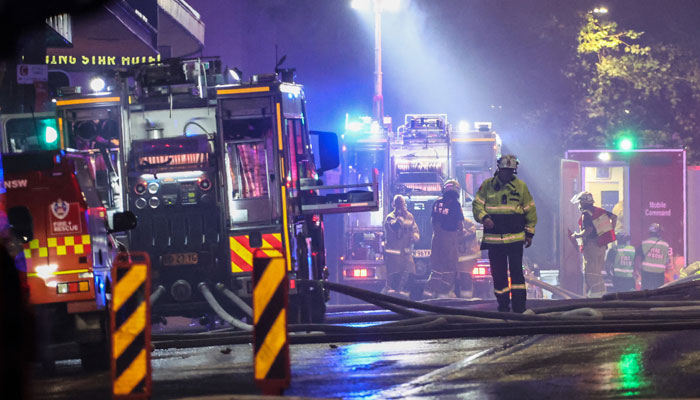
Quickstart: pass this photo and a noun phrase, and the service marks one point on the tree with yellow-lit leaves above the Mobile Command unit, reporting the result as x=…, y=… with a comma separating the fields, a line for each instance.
x=626, y=87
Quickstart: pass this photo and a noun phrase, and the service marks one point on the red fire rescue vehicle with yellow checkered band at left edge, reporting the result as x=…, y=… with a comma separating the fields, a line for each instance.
x=68, y=250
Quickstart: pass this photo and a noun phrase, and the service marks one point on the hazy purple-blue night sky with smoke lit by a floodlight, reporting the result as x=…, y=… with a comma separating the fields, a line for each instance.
x=475, y=60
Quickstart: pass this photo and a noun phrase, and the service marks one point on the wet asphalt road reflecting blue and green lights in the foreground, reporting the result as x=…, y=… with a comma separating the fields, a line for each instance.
x=611, y=365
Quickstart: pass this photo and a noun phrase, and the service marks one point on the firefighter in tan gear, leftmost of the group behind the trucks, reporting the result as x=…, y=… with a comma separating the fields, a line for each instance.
x=401, y=232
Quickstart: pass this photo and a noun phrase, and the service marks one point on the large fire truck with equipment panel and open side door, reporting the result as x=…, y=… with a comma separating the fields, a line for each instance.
x=213, y=172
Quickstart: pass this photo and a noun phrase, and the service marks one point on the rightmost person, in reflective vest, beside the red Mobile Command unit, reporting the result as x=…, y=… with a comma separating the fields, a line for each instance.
x=652, y=254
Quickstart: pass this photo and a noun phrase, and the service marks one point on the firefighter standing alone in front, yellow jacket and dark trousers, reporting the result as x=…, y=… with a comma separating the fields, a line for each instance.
x=506, y=208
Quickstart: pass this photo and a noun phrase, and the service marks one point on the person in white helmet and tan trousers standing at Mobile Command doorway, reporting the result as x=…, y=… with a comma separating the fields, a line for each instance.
x=595, y=232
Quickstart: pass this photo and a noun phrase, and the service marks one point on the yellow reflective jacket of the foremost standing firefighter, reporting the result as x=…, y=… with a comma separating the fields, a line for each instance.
x=510, y=207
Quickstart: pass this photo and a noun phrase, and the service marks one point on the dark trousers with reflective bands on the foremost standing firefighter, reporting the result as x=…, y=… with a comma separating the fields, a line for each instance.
x=505, y=258
